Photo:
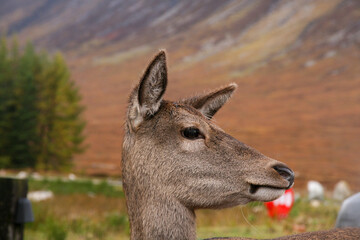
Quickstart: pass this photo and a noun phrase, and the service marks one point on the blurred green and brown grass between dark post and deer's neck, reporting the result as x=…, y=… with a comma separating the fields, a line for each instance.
x=82, y=209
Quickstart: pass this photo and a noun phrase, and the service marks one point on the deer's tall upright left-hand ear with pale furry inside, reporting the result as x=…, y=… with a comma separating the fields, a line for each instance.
x=146, y=98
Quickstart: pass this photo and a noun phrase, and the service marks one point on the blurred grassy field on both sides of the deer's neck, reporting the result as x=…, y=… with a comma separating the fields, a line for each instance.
x=86, y=210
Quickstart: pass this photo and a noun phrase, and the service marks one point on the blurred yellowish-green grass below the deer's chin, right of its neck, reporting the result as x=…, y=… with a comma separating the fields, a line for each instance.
x=252, y=220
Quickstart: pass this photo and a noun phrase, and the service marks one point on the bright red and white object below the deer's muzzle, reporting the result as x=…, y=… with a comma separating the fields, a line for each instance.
x=280, y=208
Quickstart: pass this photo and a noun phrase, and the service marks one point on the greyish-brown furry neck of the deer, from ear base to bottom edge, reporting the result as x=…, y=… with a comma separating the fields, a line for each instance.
x=153, y=213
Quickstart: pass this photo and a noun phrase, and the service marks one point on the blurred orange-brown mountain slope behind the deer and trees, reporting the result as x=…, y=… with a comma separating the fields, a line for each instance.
x=296, y=63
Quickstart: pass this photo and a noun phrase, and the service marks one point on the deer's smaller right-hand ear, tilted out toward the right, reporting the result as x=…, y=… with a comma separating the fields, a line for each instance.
x=210, y=103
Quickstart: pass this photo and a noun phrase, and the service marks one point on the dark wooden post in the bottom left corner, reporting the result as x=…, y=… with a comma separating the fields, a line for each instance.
x=11, y=189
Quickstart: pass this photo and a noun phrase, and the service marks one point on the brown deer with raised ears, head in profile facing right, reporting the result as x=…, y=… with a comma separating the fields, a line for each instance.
x=176, y=160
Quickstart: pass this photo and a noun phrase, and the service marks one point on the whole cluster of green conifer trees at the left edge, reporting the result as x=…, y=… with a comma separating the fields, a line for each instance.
x=40, y=112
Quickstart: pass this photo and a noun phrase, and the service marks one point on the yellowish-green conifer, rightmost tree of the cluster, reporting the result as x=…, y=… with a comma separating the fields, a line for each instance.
x=61, y=126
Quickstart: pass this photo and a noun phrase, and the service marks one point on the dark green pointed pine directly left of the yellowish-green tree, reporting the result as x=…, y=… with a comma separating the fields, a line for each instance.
x=23, y=135
